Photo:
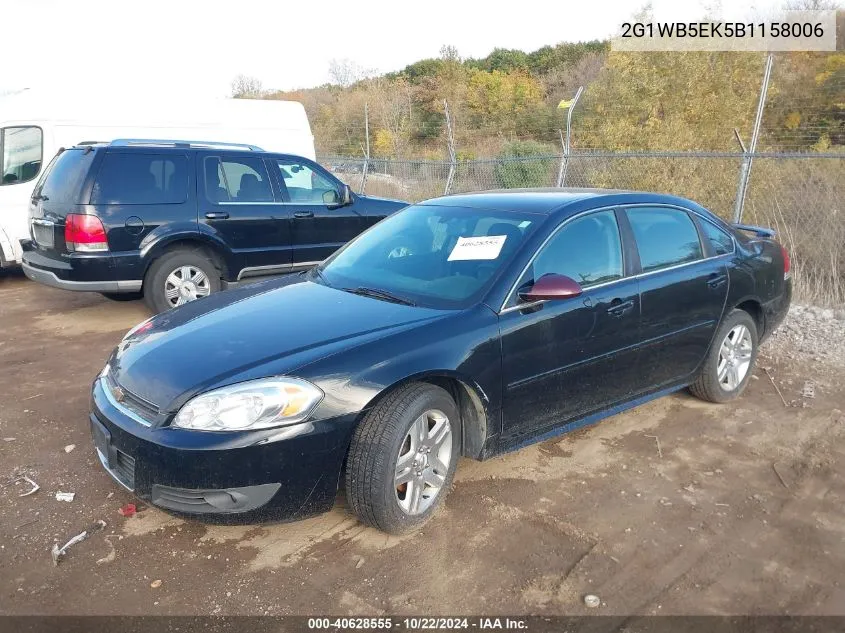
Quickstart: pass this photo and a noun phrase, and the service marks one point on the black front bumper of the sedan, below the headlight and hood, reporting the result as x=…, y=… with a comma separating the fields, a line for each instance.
x=274, y=474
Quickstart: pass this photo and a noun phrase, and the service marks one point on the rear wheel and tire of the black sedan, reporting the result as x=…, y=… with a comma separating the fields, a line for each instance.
x=725, y=374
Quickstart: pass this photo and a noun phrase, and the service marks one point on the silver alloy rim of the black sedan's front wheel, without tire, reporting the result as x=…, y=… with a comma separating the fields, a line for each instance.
x=423, y=462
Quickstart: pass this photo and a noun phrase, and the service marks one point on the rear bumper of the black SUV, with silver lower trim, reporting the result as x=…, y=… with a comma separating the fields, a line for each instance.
x=67, y=276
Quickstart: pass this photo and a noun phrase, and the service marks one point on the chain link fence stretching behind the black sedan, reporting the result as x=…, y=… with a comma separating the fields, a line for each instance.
x=800, y=195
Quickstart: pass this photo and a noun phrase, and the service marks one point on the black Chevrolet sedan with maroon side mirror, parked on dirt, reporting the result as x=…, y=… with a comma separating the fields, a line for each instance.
x=467, y=325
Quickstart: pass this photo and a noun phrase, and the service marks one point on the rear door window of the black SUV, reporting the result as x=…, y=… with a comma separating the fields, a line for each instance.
x=237, y=180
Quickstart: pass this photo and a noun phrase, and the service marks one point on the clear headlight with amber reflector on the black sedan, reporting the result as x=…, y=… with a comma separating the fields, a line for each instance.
x=256, y=404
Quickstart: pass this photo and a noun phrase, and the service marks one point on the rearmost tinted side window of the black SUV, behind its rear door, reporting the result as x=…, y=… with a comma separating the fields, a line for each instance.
x=141, y=179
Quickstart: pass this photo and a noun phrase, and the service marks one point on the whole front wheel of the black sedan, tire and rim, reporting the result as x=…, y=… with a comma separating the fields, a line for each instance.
x=384, y=438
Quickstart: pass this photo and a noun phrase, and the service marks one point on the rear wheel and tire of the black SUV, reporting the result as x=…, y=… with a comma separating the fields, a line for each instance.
x=192, y=264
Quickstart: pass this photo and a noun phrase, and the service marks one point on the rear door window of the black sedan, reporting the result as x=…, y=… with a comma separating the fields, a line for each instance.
x=665, y=237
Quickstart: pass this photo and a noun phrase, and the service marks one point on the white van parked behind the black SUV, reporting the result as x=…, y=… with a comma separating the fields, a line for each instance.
x=35, y=124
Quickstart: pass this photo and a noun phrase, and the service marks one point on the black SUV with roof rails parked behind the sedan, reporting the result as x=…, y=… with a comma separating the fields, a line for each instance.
x=174, y=221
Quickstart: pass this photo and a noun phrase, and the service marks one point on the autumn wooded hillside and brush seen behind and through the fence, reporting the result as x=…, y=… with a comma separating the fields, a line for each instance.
x=507, y=107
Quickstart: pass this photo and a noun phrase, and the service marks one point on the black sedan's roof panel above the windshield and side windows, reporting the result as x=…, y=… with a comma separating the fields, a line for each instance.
x=548, y=201
